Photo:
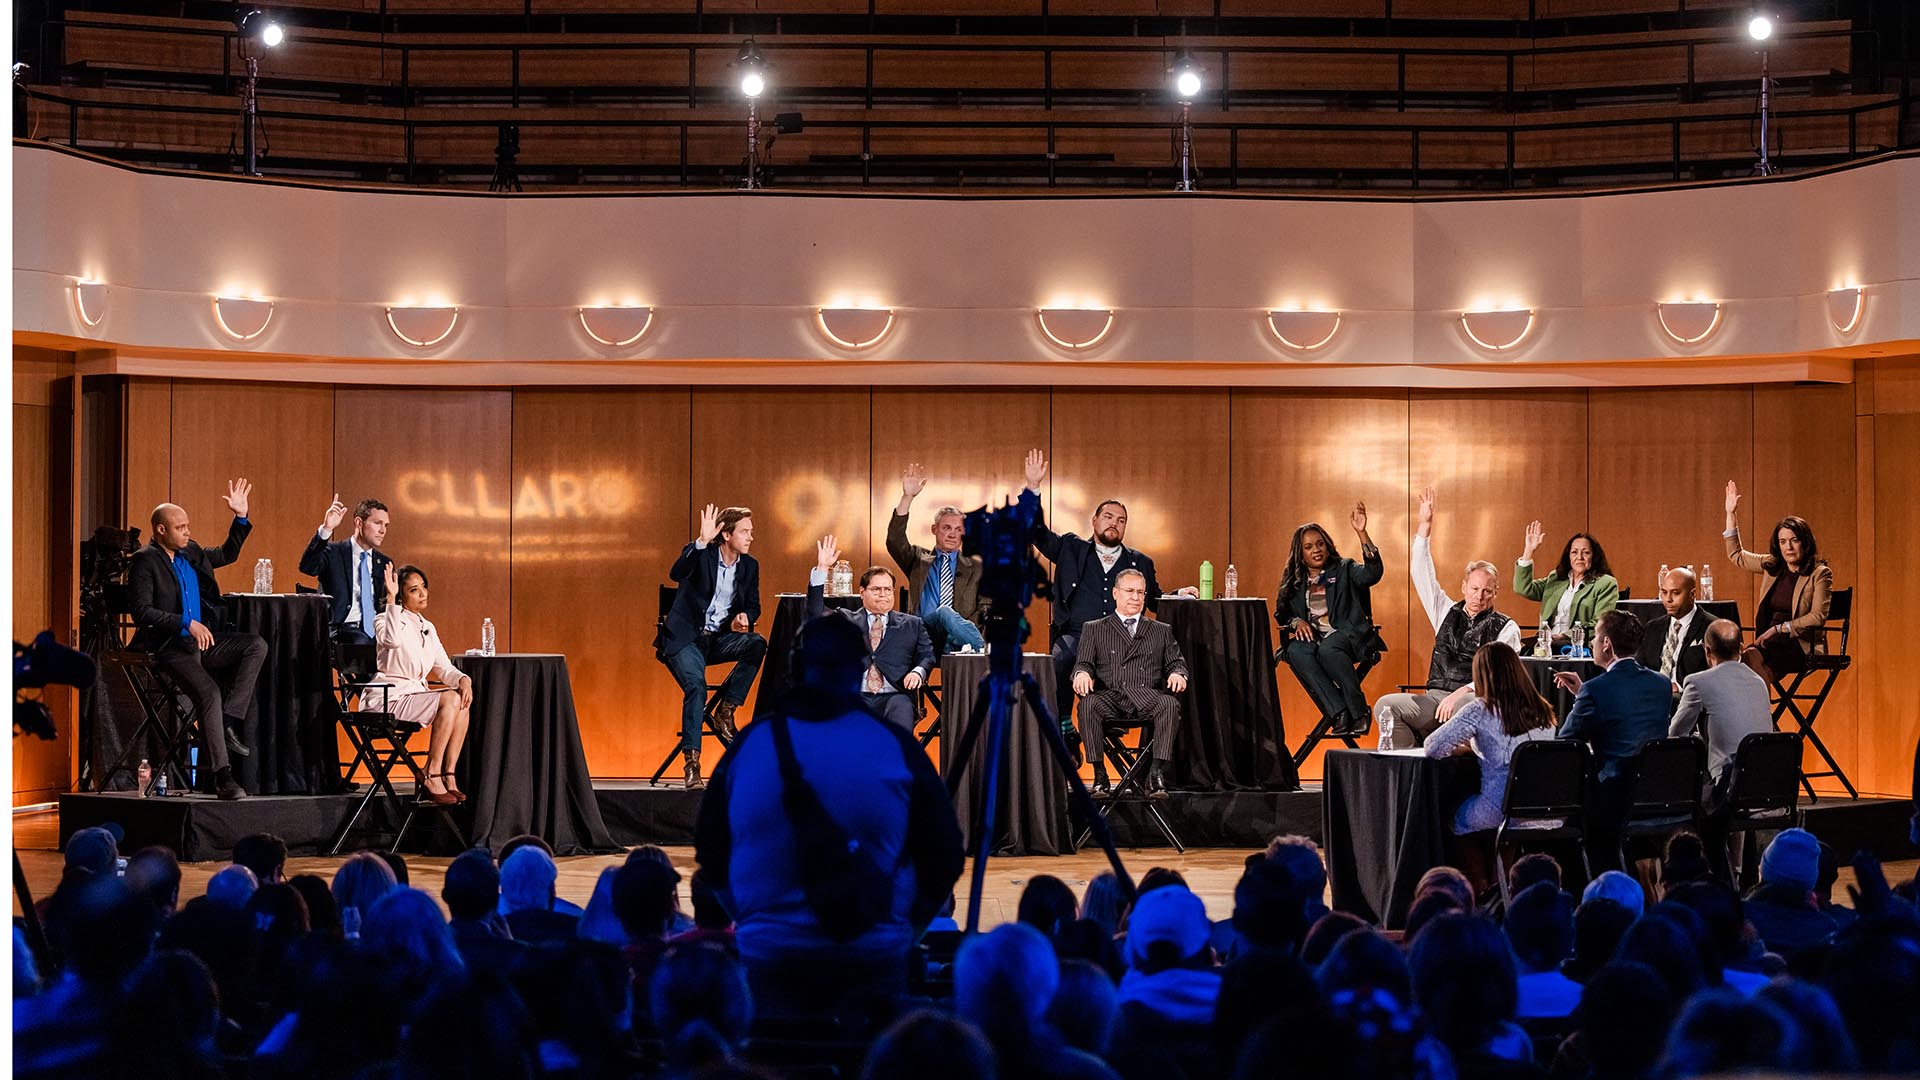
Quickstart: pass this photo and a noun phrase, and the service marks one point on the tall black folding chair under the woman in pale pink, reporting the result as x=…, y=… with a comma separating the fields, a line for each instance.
x=381, y=743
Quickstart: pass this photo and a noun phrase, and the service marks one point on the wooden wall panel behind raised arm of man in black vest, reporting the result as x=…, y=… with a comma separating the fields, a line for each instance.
x=1497, y=460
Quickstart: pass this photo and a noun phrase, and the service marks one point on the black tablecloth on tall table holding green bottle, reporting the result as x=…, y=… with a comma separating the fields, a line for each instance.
x=1232, y=735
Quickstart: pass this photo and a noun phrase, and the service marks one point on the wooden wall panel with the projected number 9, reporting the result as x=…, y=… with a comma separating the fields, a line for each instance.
x=802, y=460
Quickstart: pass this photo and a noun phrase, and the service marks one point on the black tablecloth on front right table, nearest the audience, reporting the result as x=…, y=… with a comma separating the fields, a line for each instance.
x=1387, y=820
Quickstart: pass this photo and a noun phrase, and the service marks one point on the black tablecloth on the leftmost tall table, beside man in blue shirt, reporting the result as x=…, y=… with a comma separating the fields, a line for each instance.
x=295, y=716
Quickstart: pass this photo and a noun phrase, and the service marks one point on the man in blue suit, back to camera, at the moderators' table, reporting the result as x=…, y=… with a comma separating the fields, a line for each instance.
x=1614, y=714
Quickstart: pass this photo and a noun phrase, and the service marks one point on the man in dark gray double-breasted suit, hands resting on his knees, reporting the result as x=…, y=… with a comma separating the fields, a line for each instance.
x=1130, y=666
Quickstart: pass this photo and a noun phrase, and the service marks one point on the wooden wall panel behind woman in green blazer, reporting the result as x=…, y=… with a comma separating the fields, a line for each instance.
x=1658, y=468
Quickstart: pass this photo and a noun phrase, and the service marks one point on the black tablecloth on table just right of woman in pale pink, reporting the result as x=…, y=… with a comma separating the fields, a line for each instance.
x=523, y=768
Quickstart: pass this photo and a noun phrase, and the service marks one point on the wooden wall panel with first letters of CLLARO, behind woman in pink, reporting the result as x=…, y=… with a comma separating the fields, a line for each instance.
x=441, y=462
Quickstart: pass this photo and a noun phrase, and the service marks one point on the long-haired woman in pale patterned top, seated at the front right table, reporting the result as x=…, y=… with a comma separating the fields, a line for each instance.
x=1504, y=712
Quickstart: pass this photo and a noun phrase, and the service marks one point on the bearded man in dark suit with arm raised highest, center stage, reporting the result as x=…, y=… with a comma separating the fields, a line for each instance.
x=1086, y=574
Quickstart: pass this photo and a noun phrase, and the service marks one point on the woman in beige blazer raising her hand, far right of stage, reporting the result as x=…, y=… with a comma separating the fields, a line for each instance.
x=1796, y=593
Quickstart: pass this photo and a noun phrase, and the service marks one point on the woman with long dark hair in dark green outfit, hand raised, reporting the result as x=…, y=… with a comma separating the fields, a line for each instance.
x=1326, y=620
